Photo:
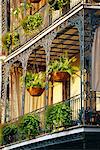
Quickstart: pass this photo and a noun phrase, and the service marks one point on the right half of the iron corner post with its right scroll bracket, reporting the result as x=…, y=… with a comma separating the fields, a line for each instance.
x=90, y=25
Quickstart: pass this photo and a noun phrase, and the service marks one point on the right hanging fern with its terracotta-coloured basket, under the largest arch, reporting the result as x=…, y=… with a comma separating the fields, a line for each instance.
x=61, y=69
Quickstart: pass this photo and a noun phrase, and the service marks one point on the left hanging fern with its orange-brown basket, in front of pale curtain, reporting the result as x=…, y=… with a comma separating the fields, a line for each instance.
x=35, y=83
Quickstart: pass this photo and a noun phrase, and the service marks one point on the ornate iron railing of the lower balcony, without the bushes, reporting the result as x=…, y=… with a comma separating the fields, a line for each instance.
x=79, y=116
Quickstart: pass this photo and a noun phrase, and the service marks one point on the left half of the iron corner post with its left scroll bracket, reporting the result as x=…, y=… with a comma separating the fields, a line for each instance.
x=78, y=21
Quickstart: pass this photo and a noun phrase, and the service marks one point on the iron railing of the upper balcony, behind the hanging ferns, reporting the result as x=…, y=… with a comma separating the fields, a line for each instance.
x=49, y=16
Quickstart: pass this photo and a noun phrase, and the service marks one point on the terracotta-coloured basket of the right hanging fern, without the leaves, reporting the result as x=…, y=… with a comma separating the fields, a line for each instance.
x=59, y=76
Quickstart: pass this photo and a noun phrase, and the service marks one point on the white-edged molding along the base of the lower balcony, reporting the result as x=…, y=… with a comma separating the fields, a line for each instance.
x=70, y=135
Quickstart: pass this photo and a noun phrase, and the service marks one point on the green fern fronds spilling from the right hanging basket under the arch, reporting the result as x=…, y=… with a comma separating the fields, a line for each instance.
x=63, y=64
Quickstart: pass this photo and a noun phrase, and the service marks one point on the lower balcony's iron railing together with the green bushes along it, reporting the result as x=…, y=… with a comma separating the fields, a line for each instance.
x=13, y=131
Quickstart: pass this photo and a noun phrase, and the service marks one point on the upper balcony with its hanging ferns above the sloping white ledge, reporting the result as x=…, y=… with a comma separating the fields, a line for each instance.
x=27, y=21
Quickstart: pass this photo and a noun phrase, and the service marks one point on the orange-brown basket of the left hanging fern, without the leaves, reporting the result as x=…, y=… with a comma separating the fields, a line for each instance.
x=35, y=91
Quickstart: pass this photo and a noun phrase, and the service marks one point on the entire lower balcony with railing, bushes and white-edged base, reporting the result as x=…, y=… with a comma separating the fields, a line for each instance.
x=64, y=122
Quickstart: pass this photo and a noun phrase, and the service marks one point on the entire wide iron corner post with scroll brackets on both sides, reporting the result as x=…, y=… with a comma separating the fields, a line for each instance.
x=86, y=23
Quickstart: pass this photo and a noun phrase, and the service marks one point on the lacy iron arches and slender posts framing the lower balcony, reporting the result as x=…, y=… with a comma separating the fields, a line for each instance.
x=81, y=20
